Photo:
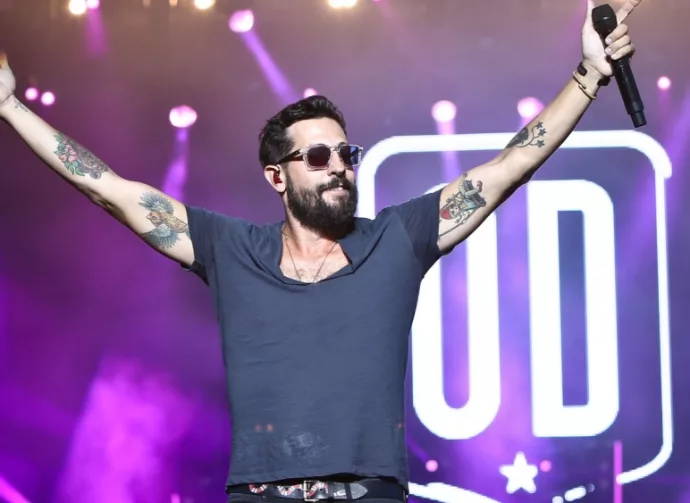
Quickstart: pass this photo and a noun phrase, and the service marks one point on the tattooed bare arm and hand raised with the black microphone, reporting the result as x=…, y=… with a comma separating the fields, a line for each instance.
x=466, y=202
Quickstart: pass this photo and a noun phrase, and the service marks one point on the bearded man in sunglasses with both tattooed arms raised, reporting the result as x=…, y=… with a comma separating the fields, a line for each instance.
x=315, y=311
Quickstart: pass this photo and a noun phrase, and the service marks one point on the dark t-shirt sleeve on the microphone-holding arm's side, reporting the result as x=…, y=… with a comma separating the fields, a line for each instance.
x=420, y=217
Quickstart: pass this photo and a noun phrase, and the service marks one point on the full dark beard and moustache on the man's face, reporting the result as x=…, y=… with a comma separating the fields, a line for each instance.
x=310, y=208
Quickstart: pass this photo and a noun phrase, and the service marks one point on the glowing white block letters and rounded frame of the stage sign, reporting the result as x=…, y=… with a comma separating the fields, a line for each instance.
x=545, y=199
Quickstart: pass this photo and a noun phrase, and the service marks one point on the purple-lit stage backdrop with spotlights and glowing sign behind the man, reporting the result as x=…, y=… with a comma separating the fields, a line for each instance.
x=111, y=377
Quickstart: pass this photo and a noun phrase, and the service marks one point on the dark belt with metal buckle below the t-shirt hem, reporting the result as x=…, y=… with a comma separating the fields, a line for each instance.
x=316, y=490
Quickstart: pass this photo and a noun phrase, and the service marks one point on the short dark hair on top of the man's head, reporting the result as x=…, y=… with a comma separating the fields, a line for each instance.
x=274, y=142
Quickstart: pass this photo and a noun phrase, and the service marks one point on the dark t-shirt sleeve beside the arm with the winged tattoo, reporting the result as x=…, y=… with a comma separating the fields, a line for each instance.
x=205, y=229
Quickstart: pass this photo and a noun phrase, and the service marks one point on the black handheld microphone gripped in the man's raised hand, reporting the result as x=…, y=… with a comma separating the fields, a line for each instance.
x=604, y=20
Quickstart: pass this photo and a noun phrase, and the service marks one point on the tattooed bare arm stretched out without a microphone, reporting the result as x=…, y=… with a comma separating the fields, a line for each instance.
x=157, y=218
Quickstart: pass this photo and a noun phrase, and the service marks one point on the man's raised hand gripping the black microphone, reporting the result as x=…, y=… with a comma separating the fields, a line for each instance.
x=596, y=55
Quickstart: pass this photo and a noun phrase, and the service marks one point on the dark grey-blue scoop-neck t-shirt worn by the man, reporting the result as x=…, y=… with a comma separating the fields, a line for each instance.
x=316, y=372
